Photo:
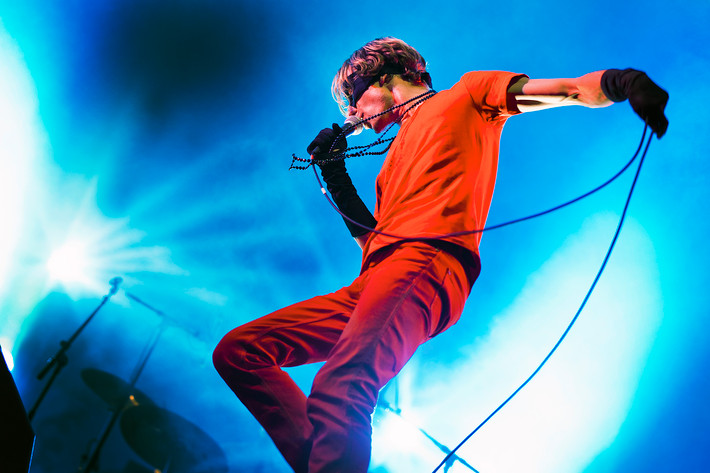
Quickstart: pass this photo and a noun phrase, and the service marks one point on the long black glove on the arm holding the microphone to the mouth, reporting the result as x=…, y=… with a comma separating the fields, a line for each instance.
x=338, y=182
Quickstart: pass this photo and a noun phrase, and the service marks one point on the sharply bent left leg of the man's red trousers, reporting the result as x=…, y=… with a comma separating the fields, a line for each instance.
x=249, y=359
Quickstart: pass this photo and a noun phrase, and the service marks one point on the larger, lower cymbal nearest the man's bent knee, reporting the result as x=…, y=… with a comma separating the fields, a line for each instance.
x=169, y=442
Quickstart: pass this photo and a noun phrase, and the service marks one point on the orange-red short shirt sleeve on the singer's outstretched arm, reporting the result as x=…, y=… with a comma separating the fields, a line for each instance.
x=489, y=92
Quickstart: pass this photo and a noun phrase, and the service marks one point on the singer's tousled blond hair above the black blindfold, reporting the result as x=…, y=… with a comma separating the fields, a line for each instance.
x=367, y=62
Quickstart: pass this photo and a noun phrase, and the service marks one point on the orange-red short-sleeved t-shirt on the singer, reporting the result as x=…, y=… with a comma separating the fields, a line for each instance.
x=439, y=174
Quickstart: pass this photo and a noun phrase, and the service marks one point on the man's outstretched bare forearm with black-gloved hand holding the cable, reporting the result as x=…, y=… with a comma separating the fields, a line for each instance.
x=596, y=89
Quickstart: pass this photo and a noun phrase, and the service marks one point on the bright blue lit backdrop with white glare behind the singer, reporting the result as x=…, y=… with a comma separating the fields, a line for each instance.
x=151, y=140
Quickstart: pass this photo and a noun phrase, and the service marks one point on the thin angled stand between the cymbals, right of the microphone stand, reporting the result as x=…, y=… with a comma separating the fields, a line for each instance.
x=90, y=462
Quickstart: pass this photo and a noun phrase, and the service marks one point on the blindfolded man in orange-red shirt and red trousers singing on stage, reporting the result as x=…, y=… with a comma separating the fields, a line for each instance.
x=417, y=271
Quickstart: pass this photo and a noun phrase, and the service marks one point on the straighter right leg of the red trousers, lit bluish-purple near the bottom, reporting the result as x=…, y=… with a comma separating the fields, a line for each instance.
x=416, y=292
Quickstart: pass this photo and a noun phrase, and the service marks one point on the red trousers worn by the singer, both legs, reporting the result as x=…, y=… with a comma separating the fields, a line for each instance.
x=365, y=333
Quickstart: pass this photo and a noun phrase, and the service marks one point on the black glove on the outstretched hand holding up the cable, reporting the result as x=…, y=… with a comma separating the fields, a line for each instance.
x=646, y=98
